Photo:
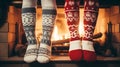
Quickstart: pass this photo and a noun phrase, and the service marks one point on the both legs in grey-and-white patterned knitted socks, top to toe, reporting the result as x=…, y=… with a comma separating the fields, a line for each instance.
x=43, y=52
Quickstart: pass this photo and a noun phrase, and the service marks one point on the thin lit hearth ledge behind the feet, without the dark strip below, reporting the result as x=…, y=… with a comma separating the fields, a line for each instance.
x=57, y=58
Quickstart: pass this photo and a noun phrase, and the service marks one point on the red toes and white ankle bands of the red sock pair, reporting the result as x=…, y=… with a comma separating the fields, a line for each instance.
x=82, y=50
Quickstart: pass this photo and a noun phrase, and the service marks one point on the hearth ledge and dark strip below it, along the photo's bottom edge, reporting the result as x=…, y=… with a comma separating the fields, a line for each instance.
x=60, y=61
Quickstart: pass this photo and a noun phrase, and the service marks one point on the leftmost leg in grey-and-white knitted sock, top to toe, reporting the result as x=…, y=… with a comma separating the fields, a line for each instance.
x=28, y=20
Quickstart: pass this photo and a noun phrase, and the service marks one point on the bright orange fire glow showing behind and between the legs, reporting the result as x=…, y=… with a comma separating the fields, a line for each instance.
x=61, y=31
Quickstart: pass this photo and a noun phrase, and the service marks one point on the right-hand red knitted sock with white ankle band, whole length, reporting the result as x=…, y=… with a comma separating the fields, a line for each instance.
x=90, y=17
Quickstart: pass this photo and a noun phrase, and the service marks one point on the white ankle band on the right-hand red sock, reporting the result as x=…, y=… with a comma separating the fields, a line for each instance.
x=87, y=45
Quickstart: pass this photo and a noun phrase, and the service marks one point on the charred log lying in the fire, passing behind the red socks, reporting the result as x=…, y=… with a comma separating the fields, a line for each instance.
x=95, y=36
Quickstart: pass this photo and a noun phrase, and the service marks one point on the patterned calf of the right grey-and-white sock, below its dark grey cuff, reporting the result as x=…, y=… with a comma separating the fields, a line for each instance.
x=47, y=28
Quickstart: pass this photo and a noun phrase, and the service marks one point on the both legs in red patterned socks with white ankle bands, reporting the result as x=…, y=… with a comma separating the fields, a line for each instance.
x=81, y=48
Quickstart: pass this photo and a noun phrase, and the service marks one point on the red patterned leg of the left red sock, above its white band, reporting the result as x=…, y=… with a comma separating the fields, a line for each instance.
x=72, y=16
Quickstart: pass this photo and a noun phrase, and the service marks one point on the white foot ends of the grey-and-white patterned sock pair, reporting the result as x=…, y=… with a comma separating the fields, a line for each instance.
x=41, y=54
